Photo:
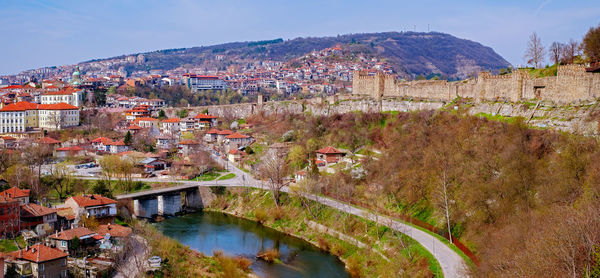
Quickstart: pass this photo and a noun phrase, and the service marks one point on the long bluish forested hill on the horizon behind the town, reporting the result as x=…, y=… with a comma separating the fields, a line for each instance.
x=408, y=53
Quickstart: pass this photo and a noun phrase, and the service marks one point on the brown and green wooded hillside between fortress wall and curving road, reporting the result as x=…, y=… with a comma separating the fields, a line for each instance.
x=524, y=200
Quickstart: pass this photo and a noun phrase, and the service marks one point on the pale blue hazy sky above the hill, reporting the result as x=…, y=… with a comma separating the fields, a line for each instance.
x=36, y=34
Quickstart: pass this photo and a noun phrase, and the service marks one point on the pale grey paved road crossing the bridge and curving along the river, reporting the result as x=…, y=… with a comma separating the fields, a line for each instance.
x=452, y=264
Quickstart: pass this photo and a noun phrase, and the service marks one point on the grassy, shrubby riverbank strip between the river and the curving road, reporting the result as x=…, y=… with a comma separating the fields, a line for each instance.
x=388, y=253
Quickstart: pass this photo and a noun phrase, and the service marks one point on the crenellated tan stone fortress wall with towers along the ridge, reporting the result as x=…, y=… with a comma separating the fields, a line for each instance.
x=572, y=84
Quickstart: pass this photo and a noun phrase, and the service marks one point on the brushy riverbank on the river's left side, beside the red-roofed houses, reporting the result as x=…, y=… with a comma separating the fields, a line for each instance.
x=181, y=261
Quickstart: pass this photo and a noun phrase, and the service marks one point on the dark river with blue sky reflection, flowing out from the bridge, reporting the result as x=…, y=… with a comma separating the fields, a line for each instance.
x=208, y=231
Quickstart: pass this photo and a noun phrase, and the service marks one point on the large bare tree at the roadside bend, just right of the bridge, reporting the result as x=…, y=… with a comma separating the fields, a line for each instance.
x=274, y=168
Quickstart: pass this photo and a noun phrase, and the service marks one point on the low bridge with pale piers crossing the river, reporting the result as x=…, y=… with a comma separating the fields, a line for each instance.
x=166, y=201
